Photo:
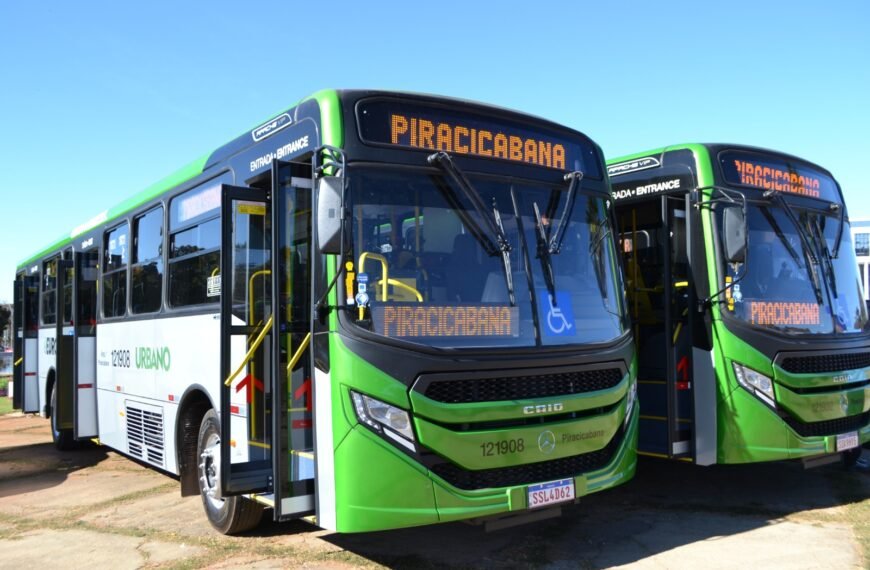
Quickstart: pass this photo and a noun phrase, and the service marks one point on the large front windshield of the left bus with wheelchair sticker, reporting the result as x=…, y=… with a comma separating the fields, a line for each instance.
x=429, y=269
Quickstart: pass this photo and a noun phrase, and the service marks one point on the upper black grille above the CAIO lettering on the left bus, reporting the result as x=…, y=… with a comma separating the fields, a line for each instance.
x=466, y=391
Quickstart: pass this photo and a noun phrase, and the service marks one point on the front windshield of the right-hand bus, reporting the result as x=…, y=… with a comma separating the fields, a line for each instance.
x=798, y=284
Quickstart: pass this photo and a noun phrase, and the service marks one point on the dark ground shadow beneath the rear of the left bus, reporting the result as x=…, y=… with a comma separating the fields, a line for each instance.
x=37, y=466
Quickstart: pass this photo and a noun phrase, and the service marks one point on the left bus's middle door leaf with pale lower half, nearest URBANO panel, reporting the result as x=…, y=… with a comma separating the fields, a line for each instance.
x=84, y=295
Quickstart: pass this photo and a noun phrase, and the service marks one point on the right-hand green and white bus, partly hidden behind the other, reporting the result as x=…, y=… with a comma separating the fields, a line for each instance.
x=752, y=332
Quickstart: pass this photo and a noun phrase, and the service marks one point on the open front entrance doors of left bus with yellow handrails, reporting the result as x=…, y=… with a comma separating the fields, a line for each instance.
x=265, y=435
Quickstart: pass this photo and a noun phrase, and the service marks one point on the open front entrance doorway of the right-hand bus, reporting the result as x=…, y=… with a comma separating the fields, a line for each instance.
x=655, y=246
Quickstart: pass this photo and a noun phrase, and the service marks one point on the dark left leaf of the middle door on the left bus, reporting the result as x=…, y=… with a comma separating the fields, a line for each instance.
x=65, y=344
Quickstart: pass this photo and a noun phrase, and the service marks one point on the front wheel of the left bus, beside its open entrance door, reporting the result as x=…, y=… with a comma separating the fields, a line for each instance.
x=231, y=515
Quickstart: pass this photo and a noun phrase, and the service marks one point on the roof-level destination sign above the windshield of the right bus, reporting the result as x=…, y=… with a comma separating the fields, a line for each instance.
x=775, y=173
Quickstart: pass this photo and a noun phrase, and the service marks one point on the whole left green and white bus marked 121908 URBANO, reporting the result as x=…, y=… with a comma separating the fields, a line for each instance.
x=374, y=310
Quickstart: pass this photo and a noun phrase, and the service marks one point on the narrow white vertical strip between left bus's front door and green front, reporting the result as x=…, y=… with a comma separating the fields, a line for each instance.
x=324, y=484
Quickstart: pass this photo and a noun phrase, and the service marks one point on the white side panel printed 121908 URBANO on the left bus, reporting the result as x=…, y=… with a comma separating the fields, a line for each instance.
x=154, y=361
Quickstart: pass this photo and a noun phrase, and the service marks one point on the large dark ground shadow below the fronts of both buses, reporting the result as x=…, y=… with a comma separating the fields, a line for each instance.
x=669, y=505
